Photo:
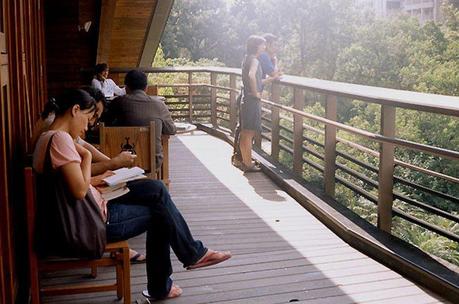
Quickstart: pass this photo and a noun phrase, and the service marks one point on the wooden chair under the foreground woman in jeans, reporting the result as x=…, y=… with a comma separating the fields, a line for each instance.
x=117, y=254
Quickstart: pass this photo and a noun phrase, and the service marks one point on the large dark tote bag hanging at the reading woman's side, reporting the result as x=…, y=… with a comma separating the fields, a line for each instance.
x=66, y=227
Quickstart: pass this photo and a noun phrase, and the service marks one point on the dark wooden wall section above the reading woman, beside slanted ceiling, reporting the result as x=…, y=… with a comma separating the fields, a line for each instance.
x=69, y=49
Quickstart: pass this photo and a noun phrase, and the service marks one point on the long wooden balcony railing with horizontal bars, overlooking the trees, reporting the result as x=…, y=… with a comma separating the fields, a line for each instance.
x=209, y=96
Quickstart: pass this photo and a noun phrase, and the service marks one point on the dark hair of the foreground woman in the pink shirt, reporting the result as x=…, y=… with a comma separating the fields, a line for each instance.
x=67, y=100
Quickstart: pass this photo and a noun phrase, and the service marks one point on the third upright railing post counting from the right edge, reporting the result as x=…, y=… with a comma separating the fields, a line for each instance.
x=298, y=132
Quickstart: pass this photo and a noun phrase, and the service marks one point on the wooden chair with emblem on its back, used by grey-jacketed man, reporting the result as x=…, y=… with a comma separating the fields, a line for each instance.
x=140, y=141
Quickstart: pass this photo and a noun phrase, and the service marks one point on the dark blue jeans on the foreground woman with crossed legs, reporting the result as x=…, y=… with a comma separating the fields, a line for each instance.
x=149, y=207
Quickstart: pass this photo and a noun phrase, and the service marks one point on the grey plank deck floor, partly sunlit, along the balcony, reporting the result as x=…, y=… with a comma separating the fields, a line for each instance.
x=282, y=254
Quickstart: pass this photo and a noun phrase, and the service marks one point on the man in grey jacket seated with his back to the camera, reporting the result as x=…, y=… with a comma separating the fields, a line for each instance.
x=136, y=108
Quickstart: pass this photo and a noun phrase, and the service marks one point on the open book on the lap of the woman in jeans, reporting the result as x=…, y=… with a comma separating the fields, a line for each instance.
x=116, y=184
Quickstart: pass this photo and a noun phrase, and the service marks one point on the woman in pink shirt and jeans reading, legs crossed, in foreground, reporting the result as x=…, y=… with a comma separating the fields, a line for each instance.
x=147, y=207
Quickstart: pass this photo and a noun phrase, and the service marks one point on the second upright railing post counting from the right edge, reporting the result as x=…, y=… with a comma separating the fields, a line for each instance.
x=330, y=147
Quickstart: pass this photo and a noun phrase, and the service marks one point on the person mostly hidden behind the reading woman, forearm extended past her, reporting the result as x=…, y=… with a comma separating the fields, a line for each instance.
x=100, y=162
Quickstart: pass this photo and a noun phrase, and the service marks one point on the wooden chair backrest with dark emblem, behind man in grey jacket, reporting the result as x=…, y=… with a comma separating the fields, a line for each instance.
x=138, y=140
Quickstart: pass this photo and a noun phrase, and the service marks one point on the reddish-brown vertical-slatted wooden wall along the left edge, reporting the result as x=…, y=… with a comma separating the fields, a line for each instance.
x=22, y=95
